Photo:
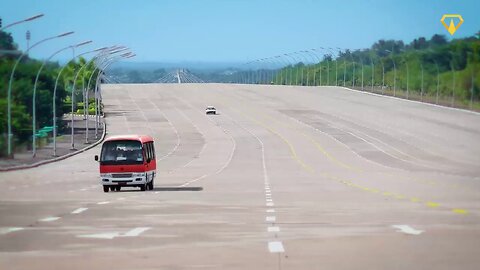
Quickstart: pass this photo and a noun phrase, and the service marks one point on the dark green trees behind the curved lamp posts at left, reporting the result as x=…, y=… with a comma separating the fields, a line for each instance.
x=22, y=92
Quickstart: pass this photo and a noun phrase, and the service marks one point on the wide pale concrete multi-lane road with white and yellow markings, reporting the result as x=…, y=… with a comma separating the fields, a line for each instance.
x=282, y=178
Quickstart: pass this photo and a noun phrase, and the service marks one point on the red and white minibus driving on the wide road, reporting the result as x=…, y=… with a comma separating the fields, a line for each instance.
x=127, y=161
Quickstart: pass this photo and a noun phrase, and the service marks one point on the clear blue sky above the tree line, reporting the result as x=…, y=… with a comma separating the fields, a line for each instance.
x=231, y=30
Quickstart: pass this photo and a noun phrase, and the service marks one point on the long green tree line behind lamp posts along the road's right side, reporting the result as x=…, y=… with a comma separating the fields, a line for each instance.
x=451, y=70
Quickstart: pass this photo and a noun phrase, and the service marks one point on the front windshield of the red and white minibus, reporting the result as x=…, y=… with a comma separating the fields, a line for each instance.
x=121, y=152
